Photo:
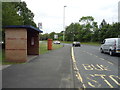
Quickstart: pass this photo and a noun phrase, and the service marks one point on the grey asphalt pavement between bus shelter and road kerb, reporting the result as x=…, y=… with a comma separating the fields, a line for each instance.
x=50, y=70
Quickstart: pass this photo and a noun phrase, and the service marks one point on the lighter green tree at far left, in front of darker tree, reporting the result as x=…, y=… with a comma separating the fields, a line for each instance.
x=9, y=14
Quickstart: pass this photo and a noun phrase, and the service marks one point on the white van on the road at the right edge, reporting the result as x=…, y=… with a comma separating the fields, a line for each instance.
x=111, y=46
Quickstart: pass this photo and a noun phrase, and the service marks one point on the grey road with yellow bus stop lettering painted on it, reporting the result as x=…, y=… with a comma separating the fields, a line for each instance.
x=94, y=69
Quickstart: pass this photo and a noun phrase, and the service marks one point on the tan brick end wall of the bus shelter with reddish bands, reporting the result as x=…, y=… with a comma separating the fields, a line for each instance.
x=16, y=45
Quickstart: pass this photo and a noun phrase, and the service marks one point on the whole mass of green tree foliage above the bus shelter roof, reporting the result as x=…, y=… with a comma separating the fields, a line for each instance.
x=16, y=13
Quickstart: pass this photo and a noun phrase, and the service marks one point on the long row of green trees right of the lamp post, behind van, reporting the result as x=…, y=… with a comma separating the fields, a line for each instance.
x=88, y=31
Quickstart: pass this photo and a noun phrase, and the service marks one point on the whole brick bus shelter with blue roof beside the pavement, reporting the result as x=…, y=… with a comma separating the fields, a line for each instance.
x=21, y=41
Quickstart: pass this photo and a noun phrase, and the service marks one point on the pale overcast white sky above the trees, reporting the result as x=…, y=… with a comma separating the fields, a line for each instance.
x=50, y=12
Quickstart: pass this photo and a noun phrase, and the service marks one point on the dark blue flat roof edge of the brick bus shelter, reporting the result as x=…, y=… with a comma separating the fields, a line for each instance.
x=23, y=26
